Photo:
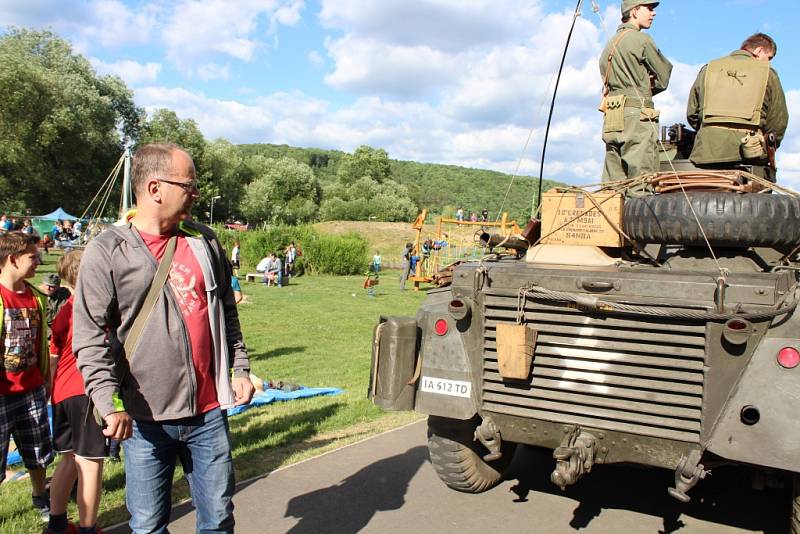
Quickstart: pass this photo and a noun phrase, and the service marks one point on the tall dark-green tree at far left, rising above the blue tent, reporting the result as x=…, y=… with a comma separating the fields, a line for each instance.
x=60, y=123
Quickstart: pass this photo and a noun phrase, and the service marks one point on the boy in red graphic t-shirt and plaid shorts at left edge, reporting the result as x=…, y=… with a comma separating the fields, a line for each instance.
x=24, y=363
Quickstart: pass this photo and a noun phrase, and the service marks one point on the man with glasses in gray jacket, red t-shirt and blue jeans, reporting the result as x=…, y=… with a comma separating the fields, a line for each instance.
x=166, y=399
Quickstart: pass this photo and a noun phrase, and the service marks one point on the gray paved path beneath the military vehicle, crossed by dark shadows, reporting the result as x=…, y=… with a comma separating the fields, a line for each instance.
x=386, y=484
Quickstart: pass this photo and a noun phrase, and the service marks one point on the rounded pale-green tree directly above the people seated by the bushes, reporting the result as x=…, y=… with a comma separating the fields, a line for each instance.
x=284, y=191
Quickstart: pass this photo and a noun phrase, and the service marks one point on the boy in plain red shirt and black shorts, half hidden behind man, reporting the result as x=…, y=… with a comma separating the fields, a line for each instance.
x=77, y=436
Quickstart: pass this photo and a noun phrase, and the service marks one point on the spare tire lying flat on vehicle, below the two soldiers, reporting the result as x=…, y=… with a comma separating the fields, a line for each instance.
x=728, y=219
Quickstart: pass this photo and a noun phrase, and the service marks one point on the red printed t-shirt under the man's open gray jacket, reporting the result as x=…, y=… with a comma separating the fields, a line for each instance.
x=189, y=287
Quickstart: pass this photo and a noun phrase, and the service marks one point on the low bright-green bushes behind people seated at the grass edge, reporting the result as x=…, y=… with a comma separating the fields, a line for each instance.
x=321, y=254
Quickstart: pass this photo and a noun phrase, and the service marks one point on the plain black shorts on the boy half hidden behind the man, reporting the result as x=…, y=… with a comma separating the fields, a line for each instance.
x=76, y=431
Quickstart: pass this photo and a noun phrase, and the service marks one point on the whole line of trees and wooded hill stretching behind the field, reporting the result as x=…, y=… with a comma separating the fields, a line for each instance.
x=63, y=127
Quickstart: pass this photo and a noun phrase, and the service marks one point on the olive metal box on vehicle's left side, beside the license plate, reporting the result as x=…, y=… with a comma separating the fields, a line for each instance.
x=394, y=358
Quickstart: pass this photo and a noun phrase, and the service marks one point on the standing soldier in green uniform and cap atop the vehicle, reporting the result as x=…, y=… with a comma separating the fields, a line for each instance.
x=633, y=70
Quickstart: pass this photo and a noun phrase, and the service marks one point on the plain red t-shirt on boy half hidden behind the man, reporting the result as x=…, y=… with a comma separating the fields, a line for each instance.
x=67, y=381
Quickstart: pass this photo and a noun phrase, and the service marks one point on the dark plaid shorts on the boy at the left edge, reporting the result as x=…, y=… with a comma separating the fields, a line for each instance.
x=24, y=416
